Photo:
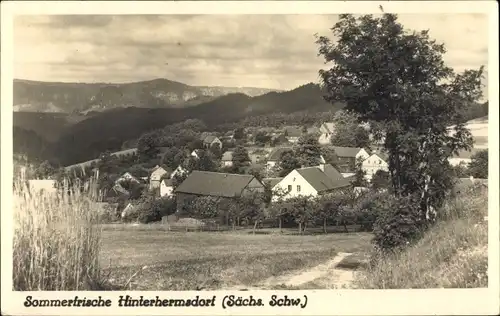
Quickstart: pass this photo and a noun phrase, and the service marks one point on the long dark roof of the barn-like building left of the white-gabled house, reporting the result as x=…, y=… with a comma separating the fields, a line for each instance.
x=214, y=184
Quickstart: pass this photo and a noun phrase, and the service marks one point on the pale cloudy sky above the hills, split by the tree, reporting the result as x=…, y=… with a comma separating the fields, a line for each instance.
x=271, y=51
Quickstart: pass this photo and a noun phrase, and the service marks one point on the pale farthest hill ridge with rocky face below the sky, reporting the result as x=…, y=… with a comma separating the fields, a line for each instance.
x=60, y=97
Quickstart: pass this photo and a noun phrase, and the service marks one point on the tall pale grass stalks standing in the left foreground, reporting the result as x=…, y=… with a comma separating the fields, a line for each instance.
x=56, y=244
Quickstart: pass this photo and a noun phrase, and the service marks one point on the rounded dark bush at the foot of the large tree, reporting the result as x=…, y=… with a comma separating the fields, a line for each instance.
x=399, y=224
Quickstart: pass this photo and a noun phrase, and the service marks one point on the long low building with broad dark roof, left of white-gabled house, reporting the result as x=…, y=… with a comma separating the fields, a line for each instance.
x=216, y=184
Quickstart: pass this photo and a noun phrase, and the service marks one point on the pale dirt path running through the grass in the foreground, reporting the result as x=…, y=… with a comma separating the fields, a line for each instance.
x=324, y=276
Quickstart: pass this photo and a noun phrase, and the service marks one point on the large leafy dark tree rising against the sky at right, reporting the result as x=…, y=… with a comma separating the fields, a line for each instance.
x=398, y=81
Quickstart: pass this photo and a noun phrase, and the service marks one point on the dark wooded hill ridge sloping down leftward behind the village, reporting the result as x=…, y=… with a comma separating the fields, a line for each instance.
x=108, y=130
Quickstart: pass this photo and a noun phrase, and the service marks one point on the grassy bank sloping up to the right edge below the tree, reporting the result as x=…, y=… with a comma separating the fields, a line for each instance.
x=453, y=254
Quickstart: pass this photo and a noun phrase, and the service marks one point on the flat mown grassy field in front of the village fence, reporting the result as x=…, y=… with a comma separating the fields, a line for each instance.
x=155, y=260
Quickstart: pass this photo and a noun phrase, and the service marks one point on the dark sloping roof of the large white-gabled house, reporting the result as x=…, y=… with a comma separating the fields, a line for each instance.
x=323, y=181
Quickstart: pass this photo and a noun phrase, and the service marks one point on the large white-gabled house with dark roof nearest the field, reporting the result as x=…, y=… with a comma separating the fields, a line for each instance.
x=310, y=181
